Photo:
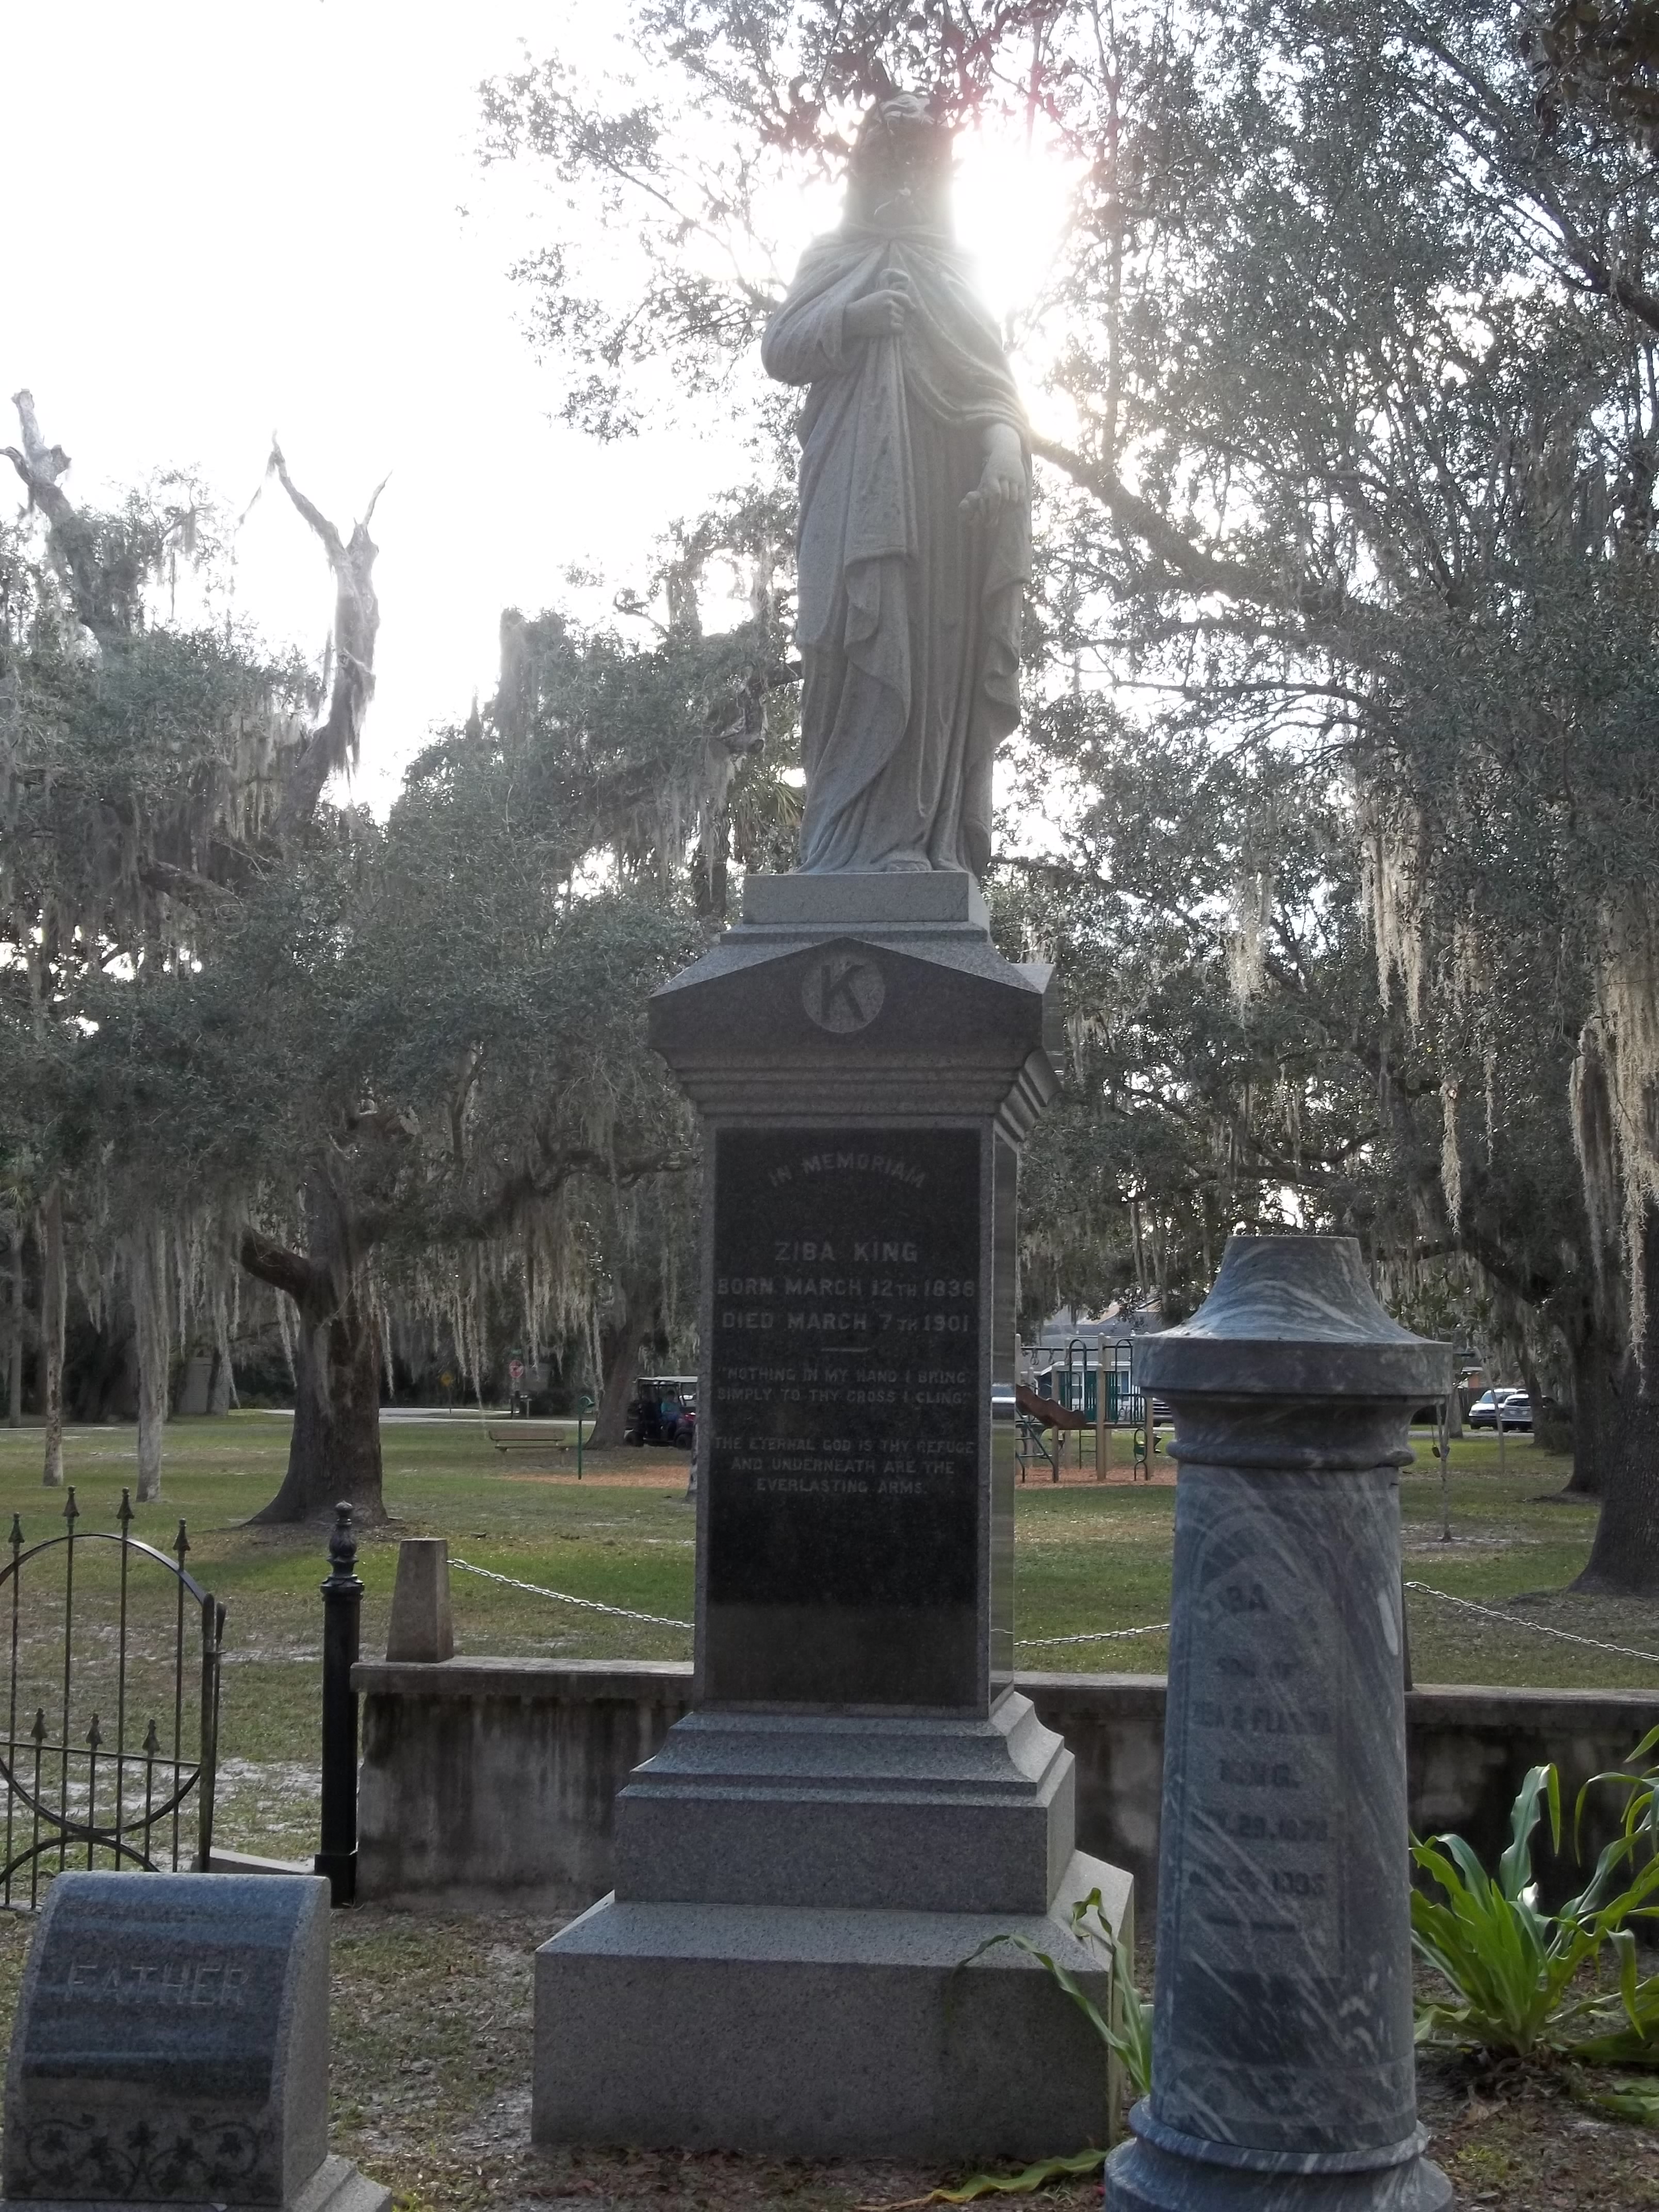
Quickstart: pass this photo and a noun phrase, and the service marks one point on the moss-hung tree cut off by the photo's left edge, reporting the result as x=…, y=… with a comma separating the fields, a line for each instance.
x=143, y=769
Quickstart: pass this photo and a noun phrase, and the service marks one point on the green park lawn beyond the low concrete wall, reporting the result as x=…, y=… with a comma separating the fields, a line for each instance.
x=1089, y=1558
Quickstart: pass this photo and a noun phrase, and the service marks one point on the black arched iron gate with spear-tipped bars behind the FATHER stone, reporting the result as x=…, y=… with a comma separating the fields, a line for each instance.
x=114, y=1647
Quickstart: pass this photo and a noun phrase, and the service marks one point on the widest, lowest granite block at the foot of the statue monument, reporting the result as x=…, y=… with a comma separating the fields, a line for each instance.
x=824, y=2032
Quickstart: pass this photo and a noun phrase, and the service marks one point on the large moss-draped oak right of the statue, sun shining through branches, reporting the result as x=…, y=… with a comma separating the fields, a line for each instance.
x=1348, y=357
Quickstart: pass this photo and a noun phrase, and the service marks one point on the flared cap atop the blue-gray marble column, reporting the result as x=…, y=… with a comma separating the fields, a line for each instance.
x=1295, y=1317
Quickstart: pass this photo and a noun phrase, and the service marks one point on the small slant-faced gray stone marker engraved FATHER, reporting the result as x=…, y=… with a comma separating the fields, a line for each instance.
x=171, y=2047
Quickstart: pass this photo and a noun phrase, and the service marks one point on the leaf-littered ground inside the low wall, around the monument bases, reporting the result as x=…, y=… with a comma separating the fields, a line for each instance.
x=432, y=2065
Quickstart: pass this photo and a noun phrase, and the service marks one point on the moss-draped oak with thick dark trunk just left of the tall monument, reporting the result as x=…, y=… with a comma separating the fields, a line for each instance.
x=432, y=1032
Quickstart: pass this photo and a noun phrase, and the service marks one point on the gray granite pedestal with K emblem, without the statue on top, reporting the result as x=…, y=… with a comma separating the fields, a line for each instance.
x=862, y=1799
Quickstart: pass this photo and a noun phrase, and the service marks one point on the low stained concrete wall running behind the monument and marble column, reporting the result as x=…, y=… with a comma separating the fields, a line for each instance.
x=497, y=1777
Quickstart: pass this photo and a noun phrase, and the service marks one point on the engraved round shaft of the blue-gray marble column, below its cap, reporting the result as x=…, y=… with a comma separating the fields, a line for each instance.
x=1284, y=2012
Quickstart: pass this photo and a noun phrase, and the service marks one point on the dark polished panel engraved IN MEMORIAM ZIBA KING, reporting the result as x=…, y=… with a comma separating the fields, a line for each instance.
x=846, y=1419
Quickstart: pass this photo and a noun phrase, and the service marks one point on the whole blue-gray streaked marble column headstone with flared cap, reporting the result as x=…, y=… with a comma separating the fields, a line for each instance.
x=1284, y=2065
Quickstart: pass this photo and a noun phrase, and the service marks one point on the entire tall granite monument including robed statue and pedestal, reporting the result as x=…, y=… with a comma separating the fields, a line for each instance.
x=811, y=1864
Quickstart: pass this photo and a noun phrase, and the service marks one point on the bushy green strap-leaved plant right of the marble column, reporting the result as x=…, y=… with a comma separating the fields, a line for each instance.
x=1516, y=1970
